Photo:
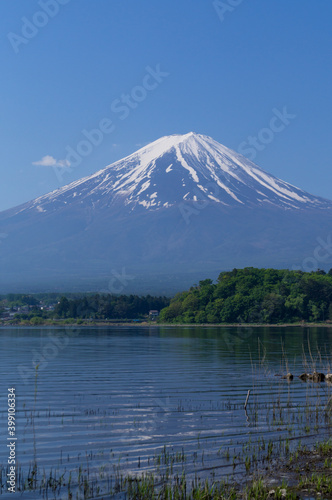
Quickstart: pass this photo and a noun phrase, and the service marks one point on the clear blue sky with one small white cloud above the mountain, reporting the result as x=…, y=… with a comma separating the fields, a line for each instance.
x=139, y=70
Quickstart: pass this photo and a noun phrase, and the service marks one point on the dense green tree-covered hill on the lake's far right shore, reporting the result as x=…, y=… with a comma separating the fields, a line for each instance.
x=253, y=295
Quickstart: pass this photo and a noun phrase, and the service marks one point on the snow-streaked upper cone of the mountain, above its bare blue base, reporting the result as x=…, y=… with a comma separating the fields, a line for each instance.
x=177, y=169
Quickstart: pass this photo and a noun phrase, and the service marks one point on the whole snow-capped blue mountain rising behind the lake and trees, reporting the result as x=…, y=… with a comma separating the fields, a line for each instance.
x=182, y=206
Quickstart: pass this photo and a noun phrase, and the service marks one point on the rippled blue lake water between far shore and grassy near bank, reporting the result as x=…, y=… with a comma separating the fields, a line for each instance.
x=110, y=402
